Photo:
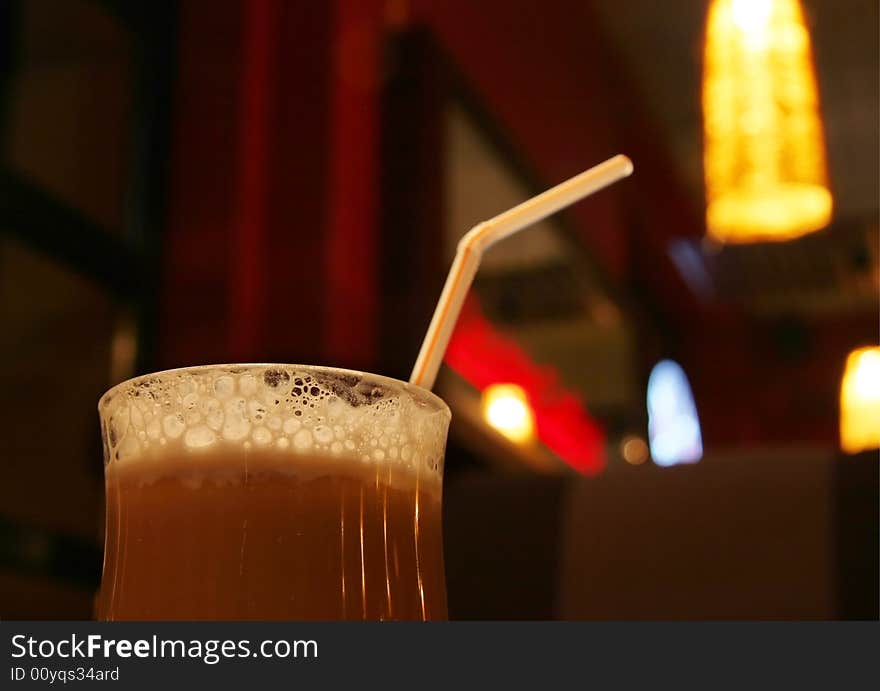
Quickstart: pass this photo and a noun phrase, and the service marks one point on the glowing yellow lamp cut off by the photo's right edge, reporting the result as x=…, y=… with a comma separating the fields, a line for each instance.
x=860, y=401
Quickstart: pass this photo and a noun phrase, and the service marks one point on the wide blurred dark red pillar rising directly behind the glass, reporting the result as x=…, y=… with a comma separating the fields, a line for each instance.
x=272, y=231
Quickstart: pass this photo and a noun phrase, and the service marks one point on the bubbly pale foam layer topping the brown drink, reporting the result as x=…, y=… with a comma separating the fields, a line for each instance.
x=294, y=409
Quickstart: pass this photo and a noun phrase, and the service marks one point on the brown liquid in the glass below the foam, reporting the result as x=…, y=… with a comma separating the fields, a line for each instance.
x=262, y=535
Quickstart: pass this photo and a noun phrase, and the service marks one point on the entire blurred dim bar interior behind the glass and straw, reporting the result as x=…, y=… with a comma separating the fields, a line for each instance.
x=664, y=407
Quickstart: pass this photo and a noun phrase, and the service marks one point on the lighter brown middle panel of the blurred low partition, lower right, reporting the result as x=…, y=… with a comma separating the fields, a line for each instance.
x=745, y=535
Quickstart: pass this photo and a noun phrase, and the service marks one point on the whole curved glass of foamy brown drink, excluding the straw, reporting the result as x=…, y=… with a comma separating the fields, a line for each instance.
x=266, y=492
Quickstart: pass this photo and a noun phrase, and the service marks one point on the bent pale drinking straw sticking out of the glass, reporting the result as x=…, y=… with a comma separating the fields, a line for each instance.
x=482, y=236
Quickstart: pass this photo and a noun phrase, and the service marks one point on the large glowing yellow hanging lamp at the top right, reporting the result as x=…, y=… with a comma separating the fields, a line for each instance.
x=764, y=153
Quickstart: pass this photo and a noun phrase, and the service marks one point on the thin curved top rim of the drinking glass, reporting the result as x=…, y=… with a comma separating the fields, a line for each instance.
x=418, y=392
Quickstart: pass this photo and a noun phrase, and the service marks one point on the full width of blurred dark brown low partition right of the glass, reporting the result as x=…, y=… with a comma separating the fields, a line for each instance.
x=746, y=535
